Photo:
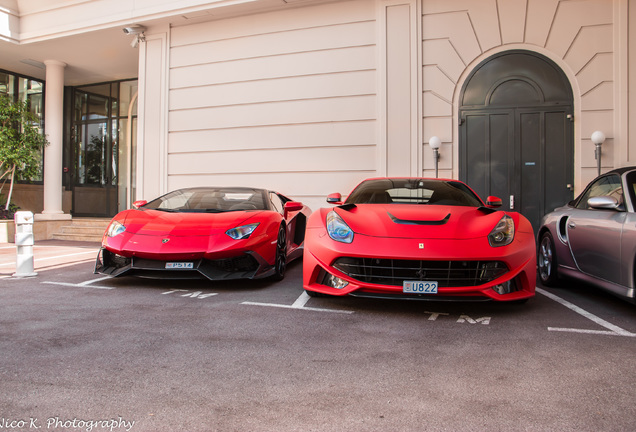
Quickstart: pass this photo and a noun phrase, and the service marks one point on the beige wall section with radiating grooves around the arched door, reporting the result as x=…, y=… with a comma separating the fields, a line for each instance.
x=579, y=36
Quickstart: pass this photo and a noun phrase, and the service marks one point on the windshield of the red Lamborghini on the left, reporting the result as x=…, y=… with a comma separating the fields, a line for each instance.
x=210, y=200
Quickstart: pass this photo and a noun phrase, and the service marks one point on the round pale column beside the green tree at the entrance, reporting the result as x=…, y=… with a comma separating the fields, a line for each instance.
x=53, y=123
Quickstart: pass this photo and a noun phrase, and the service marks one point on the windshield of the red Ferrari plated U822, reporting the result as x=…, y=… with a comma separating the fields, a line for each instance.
x=414, y=191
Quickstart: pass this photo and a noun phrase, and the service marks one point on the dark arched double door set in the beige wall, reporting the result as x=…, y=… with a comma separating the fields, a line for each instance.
x=516, y=141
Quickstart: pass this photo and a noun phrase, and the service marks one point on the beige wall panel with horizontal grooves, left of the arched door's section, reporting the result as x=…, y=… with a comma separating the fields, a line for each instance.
x=283, y=100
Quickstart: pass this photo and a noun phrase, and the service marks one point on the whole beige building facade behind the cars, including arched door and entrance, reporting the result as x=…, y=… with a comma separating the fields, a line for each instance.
x=309, y=97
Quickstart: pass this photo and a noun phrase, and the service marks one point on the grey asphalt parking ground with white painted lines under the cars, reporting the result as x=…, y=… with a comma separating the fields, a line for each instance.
x=80, y=352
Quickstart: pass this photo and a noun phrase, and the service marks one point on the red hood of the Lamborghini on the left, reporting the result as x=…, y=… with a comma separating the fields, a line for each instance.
x=161, y=223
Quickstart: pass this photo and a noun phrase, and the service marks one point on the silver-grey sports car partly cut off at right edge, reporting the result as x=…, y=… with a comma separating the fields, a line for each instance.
x=593, y=238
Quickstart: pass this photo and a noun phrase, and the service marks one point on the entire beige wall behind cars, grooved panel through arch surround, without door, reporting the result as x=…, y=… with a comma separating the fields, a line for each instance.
x=309, y=100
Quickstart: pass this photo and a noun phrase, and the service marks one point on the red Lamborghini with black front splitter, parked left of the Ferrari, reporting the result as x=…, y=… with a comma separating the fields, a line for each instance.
x=214, y=233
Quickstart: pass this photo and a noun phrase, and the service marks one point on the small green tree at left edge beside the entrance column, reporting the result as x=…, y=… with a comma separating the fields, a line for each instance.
x=21, y=143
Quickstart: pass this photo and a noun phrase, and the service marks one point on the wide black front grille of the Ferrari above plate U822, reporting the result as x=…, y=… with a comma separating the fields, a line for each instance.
x=396, y=271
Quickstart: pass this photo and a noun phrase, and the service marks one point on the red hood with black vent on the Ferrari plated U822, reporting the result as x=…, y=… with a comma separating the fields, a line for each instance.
x=419, y=221
